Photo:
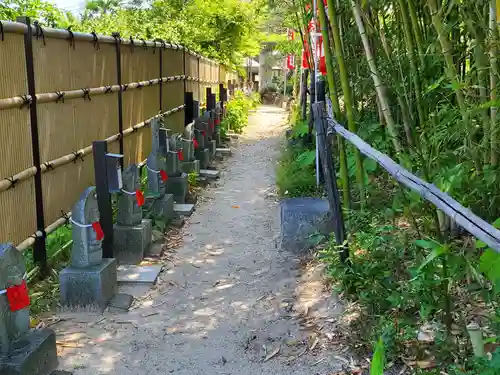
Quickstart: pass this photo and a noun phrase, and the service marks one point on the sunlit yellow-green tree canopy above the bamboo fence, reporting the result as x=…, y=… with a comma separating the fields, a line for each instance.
x=225, y=30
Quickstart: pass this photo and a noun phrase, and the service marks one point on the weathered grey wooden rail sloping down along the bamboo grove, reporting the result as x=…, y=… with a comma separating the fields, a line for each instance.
x=473, y=224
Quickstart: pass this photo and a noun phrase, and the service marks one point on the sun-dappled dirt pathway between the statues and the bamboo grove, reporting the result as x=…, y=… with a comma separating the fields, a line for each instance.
x=226, y=300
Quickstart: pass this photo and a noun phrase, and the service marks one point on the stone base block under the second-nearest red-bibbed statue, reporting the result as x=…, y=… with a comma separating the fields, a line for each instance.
x=89, y=287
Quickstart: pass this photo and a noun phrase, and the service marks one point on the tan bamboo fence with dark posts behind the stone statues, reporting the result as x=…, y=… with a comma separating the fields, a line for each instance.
x=61, y=90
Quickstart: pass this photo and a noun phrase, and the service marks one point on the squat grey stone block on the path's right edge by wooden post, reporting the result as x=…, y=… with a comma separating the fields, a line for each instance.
x=301, y=218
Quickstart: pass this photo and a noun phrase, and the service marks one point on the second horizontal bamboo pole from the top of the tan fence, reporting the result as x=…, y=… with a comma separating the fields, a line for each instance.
x=19, y=101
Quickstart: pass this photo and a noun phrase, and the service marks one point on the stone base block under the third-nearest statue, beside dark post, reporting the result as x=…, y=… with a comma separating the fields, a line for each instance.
x=130, y=243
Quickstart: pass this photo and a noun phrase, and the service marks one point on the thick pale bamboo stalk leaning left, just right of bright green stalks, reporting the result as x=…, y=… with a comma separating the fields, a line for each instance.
x=379, y=87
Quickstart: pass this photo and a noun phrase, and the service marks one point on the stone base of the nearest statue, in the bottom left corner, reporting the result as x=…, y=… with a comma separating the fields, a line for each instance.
x=33, y=354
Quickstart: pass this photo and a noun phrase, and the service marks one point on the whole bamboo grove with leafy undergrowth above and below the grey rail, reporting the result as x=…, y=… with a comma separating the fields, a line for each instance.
x=419, y=81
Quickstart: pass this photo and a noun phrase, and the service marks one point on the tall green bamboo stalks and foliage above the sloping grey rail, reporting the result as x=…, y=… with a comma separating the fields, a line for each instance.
x=428, y=71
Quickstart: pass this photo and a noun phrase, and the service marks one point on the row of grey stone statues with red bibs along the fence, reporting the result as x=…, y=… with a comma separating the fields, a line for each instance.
x=91, y=280
